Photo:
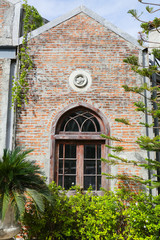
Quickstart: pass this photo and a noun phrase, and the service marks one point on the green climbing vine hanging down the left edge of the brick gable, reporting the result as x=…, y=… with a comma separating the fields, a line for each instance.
x=31, y=21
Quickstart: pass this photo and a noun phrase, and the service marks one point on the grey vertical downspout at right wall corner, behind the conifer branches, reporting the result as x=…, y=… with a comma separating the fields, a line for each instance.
x=145, y=53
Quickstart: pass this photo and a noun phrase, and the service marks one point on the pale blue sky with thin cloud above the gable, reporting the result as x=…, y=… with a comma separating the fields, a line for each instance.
x=114, y=11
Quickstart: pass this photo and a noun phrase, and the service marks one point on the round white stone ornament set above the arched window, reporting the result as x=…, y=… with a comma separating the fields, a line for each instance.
x=80, y=80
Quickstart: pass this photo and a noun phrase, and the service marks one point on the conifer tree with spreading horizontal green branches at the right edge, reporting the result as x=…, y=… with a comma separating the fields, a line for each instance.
x=149, y=95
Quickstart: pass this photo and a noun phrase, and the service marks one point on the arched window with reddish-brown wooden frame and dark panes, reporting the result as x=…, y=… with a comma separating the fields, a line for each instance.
x=79, y=148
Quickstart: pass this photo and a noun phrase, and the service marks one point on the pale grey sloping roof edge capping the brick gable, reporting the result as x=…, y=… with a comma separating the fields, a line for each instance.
x=91, y=14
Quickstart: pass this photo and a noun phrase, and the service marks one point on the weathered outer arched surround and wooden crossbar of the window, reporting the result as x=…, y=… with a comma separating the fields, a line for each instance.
x=58, y=136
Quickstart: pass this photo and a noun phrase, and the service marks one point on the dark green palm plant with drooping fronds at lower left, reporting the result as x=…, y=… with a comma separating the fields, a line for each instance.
x=20, y=182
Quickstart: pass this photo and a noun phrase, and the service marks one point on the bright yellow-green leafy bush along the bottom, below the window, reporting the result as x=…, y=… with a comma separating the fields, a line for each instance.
x=119, y=215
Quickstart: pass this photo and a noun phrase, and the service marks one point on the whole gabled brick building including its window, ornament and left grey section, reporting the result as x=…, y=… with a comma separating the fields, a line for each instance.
x=75, y=95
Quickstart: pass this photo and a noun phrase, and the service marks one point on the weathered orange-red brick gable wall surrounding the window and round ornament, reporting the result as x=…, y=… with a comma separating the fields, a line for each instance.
x=78, y=43
